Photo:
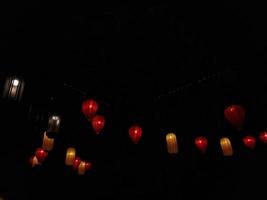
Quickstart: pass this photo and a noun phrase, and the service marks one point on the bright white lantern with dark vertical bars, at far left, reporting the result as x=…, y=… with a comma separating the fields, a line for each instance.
x=13, y=88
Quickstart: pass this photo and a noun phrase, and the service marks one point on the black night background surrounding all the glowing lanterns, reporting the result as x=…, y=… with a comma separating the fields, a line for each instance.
x=167, y=67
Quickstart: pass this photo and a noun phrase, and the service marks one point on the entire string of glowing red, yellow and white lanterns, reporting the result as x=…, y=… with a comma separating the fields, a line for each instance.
x=234, y=114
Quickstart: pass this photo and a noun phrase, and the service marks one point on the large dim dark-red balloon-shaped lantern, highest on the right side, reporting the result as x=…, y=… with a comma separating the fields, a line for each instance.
x=235, y=115
